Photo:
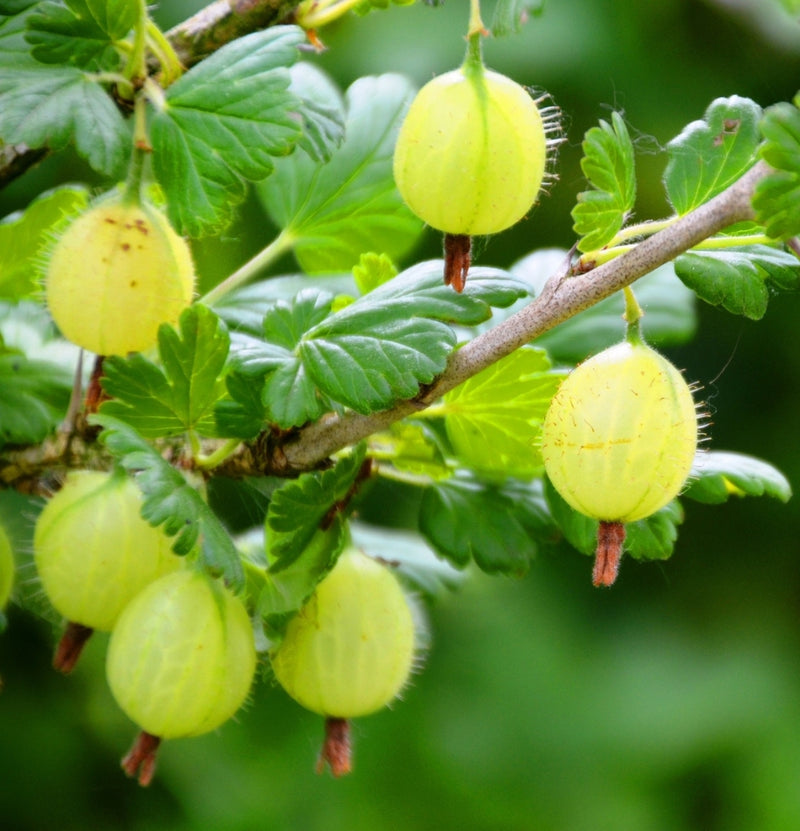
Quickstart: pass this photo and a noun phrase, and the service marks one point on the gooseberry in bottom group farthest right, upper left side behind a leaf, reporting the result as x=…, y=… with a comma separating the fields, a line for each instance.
x=350, y=650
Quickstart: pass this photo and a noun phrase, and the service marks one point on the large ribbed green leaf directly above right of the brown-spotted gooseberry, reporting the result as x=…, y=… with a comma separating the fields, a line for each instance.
x=222, y=122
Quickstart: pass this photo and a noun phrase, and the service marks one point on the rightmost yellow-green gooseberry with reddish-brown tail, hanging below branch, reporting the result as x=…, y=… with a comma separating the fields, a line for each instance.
x=619, y=439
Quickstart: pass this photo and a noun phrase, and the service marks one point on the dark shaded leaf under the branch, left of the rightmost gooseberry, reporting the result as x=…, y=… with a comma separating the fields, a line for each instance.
x=465, y=520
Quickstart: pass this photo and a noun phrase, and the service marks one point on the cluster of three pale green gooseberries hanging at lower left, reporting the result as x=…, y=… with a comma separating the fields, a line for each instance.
x=181, y=657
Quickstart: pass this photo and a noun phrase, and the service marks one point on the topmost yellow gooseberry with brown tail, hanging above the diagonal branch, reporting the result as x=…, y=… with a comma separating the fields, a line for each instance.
x=470, y=158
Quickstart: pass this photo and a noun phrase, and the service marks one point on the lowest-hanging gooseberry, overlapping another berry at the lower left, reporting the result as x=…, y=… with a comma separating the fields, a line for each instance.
x=181, y=660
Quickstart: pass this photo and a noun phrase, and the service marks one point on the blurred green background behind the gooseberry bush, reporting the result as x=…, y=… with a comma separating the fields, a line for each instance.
x=670, y=702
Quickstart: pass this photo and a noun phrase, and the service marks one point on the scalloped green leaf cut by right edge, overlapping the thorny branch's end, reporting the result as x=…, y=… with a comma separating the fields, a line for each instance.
x=777, y=197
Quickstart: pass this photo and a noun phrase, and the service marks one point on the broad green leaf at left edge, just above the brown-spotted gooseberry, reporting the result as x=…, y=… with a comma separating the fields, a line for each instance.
x=52, y=106
